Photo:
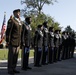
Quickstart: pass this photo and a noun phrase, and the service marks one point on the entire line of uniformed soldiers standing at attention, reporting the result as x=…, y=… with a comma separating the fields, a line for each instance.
x=49, y=45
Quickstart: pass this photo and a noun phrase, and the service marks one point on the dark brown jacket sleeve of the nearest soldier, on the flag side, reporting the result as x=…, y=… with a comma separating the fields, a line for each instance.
x=8, y=30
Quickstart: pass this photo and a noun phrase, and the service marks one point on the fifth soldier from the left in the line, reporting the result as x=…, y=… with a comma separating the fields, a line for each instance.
x=51, y=45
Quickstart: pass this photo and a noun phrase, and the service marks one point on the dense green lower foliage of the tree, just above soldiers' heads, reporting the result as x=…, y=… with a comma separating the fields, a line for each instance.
x=36, y=20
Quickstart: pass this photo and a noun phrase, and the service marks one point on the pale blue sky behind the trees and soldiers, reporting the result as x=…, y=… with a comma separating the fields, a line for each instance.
x=63, y=12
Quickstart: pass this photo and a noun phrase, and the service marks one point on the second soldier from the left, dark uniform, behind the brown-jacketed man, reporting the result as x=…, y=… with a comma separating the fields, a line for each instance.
x=25, y=42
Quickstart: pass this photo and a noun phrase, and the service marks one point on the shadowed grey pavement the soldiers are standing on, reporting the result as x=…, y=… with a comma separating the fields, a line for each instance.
x=64, y=67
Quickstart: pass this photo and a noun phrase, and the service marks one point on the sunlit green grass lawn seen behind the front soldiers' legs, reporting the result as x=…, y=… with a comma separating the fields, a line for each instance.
x=4, y=54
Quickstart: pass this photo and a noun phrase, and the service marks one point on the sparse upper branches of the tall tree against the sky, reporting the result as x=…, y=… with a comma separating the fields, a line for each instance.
x=35, y=6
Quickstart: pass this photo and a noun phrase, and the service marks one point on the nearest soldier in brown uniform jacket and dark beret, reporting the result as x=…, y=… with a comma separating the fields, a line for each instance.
x=13, y=36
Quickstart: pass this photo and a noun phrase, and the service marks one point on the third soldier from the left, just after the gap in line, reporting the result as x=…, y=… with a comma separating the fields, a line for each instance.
x=38, y=42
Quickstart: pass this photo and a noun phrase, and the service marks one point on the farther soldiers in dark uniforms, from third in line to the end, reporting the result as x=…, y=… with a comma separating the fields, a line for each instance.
x=52, y=46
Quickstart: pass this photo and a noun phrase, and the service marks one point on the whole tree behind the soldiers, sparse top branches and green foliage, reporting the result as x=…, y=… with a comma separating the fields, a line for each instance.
x=34, y=9
